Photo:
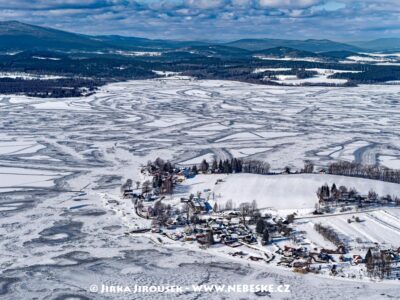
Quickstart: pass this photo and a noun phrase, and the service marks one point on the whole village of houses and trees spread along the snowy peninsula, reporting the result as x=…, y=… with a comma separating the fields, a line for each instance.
x=198, y=219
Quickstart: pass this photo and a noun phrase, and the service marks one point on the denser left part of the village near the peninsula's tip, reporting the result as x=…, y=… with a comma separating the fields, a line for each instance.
x=195, y=218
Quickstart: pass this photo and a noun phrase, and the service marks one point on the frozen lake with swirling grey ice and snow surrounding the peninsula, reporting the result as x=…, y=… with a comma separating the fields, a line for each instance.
x=57, y=241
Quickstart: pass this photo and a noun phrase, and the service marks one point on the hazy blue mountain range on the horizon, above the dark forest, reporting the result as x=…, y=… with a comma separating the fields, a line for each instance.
x=17, y=36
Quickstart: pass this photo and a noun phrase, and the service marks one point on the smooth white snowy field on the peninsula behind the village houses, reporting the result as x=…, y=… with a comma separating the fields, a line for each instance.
x=287, y=193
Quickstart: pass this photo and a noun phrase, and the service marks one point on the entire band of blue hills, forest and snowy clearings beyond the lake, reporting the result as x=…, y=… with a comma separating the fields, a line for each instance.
x=52, y=63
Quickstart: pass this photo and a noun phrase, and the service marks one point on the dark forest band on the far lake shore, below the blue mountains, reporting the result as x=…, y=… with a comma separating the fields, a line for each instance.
x=224, y=65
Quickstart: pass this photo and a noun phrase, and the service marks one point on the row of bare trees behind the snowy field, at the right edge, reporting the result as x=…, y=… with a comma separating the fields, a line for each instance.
x=364, y=171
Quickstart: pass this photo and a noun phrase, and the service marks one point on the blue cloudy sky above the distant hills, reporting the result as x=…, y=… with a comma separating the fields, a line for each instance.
x=214, y=19
